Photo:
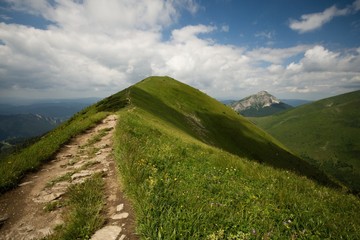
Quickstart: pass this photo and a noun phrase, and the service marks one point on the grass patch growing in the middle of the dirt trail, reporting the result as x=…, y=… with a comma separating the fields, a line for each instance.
x=84, y=205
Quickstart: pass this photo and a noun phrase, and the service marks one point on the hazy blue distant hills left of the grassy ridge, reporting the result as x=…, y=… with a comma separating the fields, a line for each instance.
x=21, y=122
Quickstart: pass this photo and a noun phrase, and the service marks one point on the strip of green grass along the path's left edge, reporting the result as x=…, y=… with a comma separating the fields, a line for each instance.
x=15, y=166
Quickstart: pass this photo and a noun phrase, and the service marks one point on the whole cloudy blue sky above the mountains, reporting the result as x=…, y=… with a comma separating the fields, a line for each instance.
x=229, y=49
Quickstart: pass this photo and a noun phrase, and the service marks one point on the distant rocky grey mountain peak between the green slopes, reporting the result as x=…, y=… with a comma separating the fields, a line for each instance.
x=260, y=104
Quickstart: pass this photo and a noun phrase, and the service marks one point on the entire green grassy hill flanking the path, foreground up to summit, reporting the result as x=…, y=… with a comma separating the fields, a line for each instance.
x=194, y=169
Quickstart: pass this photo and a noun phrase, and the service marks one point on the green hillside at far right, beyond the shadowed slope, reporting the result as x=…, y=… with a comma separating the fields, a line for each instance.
x=326, y=133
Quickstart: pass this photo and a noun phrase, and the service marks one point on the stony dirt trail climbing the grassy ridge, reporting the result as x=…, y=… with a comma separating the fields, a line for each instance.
x=39, y=203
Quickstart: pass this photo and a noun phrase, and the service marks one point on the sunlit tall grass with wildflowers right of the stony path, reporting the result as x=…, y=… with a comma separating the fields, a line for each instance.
x=185, y=189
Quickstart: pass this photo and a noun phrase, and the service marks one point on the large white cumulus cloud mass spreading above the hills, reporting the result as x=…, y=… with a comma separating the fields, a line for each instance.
x=90, y=48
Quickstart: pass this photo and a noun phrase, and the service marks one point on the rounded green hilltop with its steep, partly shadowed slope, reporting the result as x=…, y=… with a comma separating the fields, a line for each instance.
x=209, y=121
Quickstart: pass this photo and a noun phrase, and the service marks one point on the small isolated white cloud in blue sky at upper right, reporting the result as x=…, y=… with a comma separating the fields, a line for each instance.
x=310, y=22
